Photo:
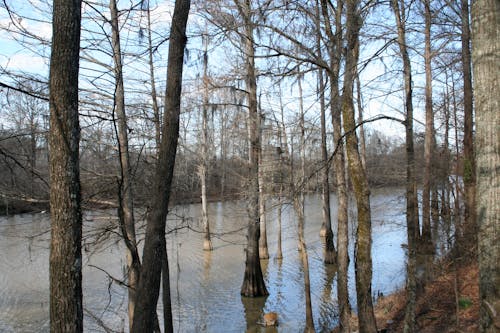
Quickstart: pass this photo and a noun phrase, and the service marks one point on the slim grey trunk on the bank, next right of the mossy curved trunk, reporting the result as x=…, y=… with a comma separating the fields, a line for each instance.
x=411, y=195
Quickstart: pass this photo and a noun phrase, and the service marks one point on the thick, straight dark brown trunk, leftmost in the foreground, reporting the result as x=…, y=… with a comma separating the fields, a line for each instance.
x=66, y=306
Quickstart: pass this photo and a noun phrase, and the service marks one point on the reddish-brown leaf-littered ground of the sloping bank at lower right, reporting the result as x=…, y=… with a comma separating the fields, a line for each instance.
x=448, y=304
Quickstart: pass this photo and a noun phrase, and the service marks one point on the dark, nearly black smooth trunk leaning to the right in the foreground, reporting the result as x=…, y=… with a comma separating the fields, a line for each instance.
x=154, y=244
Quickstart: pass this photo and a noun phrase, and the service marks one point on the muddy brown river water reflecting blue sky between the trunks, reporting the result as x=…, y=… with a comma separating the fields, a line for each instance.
x=205, y=286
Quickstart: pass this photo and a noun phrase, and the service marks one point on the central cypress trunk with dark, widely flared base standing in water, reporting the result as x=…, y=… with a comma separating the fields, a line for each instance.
x=253, y=281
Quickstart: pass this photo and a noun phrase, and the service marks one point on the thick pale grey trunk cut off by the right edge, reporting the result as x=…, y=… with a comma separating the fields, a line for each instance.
x=486, y=60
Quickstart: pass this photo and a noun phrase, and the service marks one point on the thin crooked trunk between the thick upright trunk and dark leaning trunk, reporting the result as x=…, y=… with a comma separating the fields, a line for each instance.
x=126, y=206
